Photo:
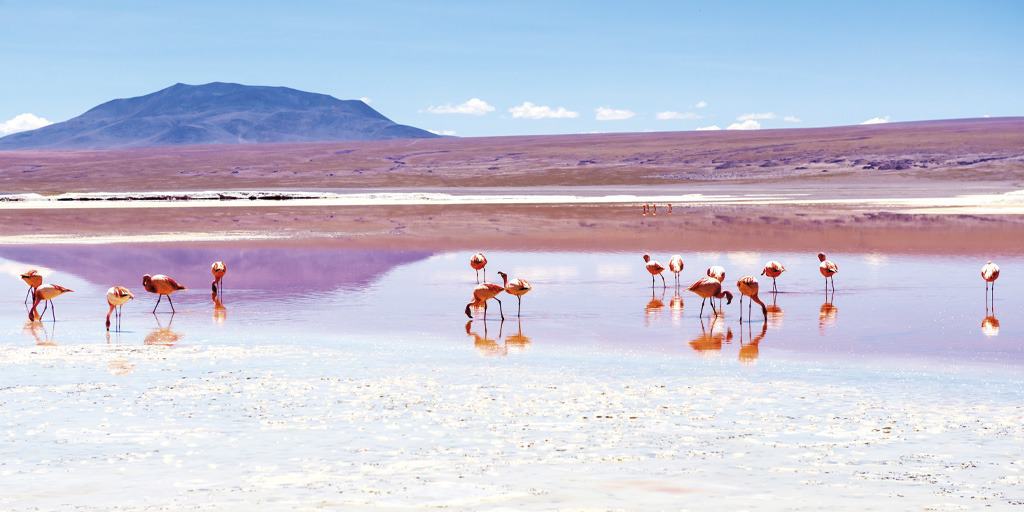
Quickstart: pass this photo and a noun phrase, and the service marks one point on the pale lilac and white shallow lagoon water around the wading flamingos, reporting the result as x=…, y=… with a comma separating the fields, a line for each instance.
x=333, y=378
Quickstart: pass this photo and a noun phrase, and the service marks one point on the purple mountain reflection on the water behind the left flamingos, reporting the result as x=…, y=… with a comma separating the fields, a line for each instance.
x=284, y=269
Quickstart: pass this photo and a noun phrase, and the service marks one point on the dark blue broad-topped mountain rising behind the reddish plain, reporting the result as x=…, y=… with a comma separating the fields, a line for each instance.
x=217, y=114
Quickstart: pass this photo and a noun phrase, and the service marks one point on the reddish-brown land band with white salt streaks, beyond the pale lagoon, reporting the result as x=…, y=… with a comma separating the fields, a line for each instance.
x=929, y=186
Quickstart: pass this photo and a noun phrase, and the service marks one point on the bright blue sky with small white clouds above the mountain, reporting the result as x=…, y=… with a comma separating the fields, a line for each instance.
x=595, y=66
